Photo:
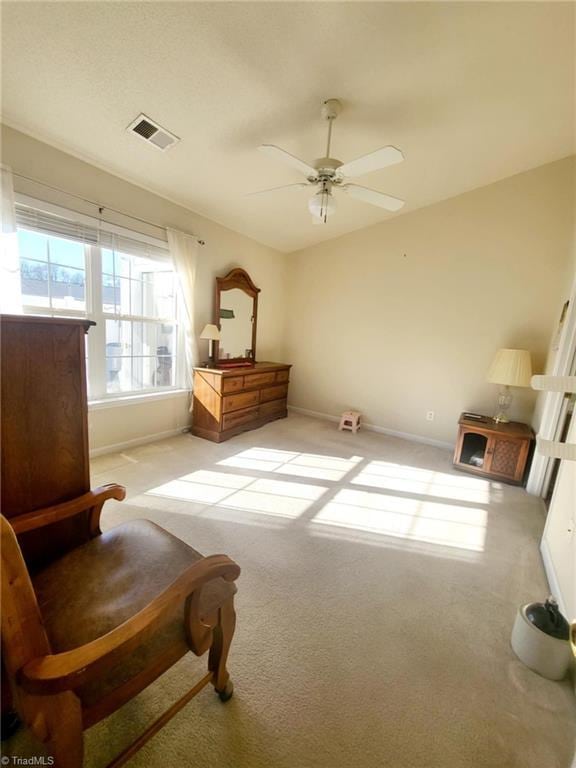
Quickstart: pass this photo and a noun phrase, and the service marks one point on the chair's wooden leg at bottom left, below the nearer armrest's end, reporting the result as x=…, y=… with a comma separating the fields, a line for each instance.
x=57, y=722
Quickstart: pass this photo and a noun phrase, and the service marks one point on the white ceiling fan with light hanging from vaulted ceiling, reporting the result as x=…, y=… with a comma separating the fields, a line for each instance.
x=328, y=174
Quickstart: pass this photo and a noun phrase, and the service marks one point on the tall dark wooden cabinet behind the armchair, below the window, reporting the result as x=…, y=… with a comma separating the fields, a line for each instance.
x=44, y=424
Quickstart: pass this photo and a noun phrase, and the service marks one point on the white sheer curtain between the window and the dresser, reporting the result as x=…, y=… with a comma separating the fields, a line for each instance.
x=184, y=251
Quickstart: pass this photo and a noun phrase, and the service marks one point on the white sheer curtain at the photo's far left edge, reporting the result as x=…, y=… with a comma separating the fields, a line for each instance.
x=10, y=301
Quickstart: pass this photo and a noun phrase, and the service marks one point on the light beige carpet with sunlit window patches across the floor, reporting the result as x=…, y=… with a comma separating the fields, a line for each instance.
x=375, y=605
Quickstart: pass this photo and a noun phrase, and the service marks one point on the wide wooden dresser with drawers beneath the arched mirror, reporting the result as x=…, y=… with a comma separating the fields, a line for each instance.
x=229, y=401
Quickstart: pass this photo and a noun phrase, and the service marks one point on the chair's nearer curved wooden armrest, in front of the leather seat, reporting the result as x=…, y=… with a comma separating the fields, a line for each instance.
x=65, y=671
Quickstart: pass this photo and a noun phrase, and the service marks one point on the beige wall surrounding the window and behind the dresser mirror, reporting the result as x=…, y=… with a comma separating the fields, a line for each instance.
x=224, y=249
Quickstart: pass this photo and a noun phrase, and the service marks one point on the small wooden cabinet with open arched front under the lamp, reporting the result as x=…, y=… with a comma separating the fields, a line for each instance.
x=495, y=450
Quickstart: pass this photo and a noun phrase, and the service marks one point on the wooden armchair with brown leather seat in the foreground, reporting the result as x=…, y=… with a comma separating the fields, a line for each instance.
x=95, y=626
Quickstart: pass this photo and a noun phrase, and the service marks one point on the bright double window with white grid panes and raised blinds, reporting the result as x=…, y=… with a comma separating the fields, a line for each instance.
x=127, y=286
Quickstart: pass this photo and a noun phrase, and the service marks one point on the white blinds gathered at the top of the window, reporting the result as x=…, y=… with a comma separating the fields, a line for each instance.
x=102, y=235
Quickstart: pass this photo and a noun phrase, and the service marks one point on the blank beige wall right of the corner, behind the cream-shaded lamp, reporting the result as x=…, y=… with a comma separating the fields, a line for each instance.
x=404, y=317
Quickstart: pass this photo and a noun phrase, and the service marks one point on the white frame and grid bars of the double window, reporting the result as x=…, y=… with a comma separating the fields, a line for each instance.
x=94, y=310
